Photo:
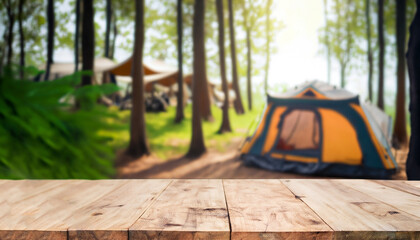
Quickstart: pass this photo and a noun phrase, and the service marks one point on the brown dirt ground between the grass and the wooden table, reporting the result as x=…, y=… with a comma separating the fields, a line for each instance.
x=213, y=164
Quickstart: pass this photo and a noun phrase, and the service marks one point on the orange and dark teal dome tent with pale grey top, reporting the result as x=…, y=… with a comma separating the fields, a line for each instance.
x=319, y=129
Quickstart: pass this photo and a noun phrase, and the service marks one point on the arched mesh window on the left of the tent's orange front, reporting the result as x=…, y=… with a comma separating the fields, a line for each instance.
x=300, y=131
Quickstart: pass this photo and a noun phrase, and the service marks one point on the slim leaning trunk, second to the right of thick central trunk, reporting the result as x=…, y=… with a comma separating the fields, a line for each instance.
x=239, y=108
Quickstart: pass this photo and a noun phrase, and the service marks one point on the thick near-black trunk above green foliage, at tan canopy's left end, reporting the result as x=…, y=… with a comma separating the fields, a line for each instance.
x=88, y=41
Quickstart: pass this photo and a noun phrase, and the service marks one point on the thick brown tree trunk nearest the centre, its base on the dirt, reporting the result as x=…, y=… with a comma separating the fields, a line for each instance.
x=197, y=146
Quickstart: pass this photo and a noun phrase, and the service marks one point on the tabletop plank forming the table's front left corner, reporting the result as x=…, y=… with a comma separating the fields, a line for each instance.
x=47, y=215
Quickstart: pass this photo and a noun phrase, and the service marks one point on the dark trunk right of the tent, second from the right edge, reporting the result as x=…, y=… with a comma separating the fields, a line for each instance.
x=400, y=130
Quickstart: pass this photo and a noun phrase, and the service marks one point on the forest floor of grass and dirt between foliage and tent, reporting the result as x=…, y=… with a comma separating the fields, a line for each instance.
x=169, y=141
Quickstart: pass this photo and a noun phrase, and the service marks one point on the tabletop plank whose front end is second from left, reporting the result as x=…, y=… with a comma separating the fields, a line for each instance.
x=112, y=215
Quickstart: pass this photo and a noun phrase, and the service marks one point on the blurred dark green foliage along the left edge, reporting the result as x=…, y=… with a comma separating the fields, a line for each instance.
x=43, y=136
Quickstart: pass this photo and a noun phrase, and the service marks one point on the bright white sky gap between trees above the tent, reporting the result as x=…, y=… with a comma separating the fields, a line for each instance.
x=298, y=58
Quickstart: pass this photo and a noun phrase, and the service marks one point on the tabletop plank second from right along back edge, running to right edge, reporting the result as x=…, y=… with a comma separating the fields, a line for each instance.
x=400, y=200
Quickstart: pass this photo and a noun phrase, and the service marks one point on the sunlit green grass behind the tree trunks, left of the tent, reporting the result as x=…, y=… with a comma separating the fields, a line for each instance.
x=168, y=139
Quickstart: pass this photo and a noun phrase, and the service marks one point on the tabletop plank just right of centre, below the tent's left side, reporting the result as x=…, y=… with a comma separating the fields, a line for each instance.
x=266, y=209
